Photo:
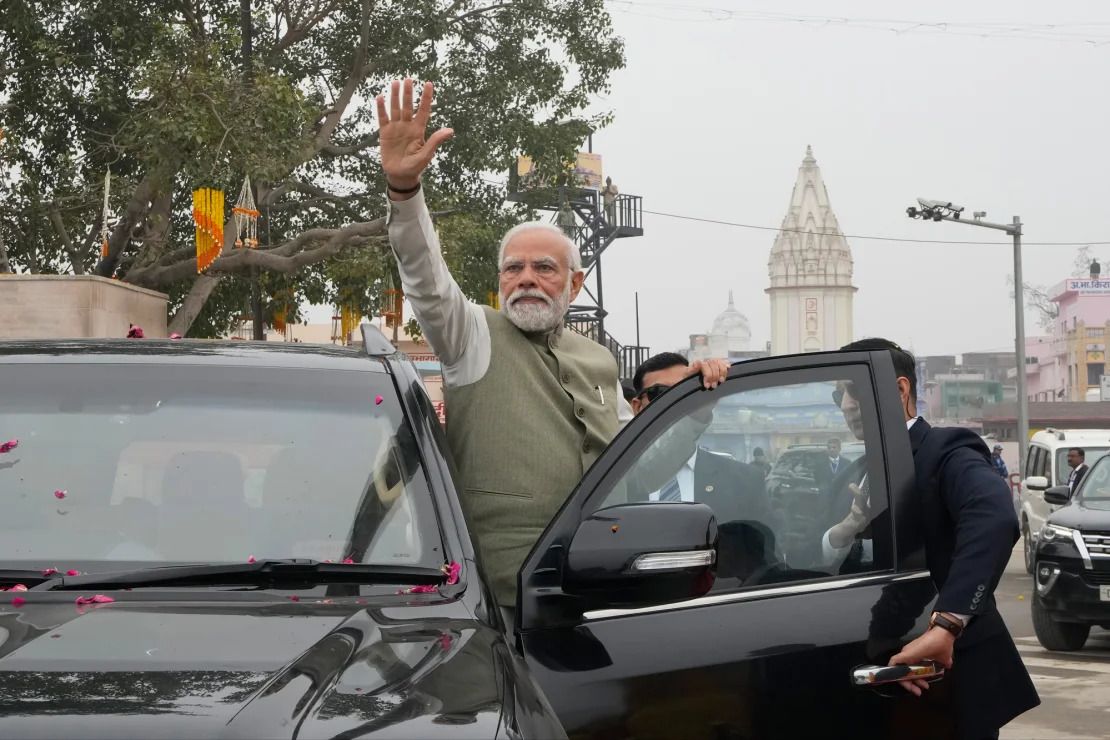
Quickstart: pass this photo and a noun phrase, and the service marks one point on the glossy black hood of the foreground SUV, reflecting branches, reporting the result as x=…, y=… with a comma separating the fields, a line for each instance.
x=236, y=670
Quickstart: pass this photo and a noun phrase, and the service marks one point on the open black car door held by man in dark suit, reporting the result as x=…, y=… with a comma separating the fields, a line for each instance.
x=675, y=596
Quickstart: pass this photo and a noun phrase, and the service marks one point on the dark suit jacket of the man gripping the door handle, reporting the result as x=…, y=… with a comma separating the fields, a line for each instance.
x=970, y=531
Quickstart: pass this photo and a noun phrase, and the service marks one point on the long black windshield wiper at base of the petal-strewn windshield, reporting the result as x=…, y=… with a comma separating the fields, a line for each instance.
x=264, y=574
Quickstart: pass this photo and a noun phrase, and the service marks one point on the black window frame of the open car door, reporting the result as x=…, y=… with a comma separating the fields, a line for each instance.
x=540, y=594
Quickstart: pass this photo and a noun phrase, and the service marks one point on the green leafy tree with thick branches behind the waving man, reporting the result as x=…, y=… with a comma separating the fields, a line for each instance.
x=159, y=94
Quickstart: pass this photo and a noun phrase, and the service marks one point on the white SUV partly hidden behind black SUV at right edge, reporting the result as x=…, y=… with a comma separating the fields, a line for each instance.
x=1047, y=467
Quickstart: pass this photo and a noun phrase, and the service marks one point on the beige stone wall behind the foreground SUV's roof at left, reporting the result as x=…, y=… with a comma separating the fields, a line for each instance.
x=77, y=307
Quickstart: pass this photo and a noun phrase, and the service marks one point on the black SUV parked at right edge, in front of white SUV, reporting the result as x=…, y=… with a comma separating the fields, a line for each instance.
x=1072, y=569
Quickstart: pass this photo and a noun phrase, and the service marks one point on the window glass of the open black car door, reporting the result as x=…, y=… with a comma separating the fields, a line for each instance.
x=788, y=514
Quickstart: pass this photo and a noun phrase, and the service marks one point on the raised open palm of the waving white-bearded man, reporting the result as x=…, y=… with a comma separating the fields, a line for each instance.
x=406, y=153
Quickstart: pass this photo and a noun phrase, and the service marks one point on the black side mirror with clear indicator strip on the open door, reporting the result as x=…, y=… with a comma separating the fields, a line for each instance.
x=643, y=554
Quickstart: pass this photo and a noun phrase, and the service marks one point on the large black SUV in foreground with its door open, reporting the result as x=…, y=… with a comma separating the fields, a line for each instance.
x=206, y=540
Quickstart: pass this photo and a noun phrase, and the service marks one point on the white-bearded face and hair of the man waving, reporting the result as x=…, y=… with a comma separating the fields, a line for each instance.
x=537, y=285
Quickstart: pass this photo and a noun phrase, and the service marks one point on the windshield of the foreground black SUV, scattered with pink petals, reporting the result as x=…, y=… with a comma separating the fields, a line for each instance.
x=155, y=463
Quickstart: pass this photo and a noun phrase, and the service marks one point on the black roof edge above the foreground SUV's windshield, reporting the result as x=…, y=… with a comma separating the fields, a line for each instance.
x=190, y=352
